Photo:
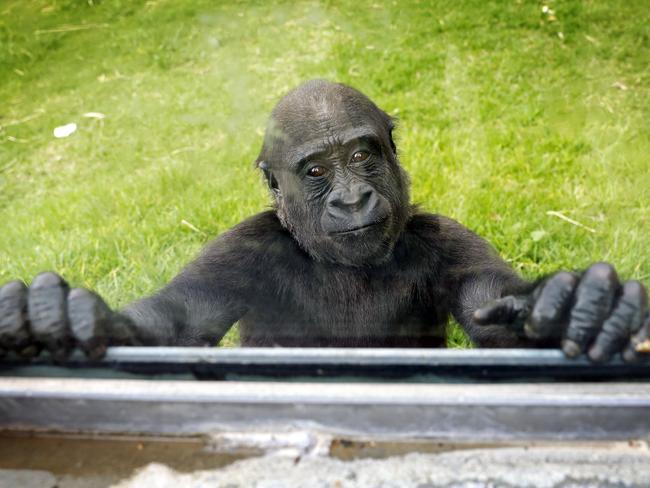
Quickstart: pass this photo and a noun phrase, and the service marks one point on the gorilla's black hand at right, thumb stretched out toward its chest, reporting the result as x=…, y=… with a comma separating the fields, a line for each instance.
x=590, y=313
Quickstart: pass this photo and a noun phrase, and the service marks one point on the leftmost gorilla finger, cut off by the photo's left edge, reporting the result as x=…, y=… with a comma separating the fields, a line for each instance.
x=14, y=332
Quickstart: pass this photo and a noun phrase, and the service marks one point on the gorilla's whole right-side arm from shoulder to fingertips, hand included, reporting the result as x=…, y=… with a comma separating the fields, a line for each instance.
x=590, y=312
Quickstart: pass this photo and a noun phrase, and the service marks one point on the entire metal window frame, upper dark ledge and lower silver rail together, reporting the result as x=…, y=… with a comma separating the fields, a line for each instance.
x=376, y=404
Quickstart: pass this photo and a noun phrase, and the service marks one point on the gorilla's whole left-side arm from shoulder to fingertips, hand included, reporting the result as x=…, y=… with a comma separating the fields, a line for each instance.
x=196, y=308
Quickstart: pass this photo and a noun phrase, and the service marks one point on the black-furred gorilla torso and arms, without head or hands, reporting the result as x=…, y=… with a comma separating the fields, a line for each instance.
x=258, y=274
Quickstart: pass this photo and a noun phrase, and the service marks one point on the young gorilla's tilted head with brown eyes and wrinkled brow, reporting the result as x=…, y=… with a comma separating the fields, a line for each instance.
x=331, y=163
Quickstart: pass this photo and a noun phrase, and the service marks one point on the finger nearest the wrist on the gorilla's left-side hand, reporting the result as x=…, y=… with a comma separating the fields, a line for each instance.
x=89, y=320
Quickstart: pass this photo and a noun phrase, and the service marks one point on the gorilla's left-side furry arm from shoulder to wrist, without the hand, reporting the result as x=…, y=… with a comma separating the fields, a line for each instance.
x=200, y=304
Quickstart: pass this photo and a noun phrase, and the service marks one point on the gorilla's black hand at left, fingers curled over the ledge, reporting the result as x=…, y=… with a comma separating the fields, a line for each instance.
x=49, y=315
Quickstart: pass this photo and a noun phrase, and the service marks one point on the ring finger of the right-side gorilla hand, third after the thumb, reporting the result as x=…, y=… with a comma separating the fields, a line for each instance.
x=627, y=318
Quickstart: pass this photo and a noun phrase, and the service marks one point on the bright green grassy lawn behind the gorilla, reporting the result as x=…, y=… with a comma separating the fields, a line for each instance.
x=508, y=111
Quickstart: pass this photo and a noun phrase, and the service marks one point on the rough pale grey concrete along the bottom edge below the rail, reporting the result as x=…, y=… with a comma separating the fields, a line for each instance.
x=614, y=465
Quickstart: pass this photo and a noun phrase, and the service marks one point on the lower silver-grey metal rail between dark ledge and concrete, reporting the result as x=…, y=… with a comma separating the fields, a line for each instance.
x=391, y=411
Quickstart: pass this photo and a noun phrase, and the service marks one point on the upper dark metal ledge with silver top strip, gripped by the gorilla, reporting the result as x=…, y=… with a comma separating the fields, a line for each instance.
x=415, y=365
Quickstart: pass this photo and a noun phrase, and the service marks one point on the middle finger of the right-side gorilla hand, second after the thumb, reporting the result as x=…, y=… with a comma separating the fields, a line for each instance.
x=594, y=298
